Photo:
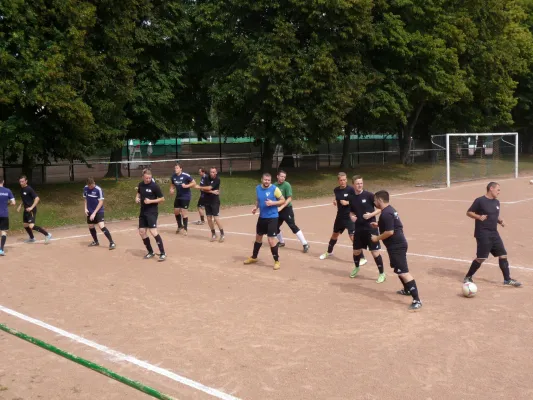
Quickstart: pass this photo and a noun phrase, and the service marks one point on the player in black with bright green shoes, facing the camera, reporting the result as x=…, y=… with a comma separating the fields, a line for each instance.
x=363, y=213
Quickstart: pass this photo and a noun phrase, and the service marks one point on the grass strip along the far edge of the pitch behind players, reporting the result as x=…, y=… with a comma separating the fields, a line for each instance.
x=62, y=204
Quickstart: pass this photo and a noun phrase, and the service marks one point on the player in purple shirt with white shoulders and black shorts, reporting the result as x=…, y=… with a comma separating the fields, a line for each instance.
x=94, y=210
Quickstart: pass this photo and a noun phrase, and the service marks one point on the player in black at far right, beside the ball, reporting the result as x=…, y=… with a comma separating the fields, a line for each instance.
x=486, y=211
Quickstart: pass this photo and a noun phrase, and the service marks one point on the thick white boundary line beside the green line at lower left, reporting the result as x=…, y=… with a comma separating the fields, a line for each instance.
x=117, y=356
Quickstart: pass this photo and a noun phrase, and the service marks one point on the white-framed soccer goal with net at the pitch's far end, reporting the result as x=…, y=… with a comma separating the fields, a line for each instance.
x=460, y=157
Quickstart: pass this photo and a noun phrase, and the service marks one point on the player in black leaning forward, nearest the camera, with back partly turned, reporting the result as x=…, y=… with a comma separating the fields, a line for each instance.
x=391, y=229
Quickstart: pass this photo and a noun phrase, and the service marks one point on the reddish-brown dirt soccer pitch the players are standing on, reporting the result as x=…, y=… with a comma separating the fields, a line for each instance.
x=307, y=331
